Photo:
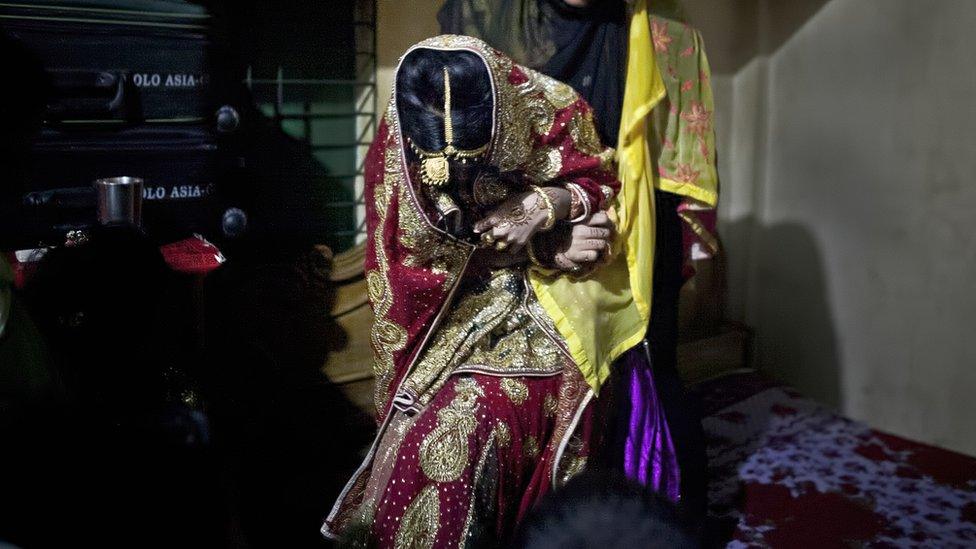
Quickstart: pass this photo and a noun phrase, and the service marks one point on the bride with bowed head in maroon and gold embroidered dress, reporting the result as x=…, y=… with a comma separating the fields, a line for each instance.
x=485, y=180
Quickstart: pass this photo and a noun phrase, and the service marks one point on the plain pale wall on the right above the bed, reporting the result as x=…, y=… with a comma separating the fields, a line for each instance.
x=848, y=166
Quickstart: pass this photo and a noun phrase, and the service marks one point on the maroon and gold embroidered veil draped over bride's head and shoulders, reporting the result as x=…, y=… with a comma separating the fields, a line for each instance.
x=540, y=127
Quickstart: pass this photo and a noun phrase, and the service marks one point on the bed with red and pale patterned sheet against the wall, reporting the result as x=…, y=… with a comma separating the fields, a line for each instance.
x=788, y=472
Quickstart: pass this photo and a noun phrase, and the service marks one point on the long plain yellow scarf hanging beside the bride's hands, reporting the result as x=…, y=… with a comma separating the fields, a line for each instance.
x=605, y=315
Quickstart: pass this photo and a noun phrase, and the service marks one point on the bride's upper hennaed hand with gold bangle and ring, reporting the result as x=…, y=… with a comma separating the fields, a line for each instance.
x=513, y=223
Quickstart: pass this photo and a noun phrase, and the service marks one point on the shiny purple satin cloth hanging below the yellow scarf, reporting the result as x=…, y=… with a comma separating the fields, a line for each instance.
x=644, y=447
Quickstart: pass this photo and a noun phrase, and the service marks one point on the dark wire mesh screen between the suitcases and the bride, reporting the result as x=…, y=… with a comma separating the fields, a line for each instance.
x=316, y=78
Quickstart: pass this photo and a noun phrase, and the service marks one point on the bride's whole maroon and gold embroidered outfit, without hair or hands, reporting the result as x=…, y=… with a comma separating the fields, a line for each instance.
x=481, y=407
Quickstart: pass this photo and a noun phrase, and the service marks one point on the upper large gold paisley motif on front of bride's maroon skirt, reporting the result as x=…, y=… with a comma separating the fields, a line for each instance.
x=444, y=451
